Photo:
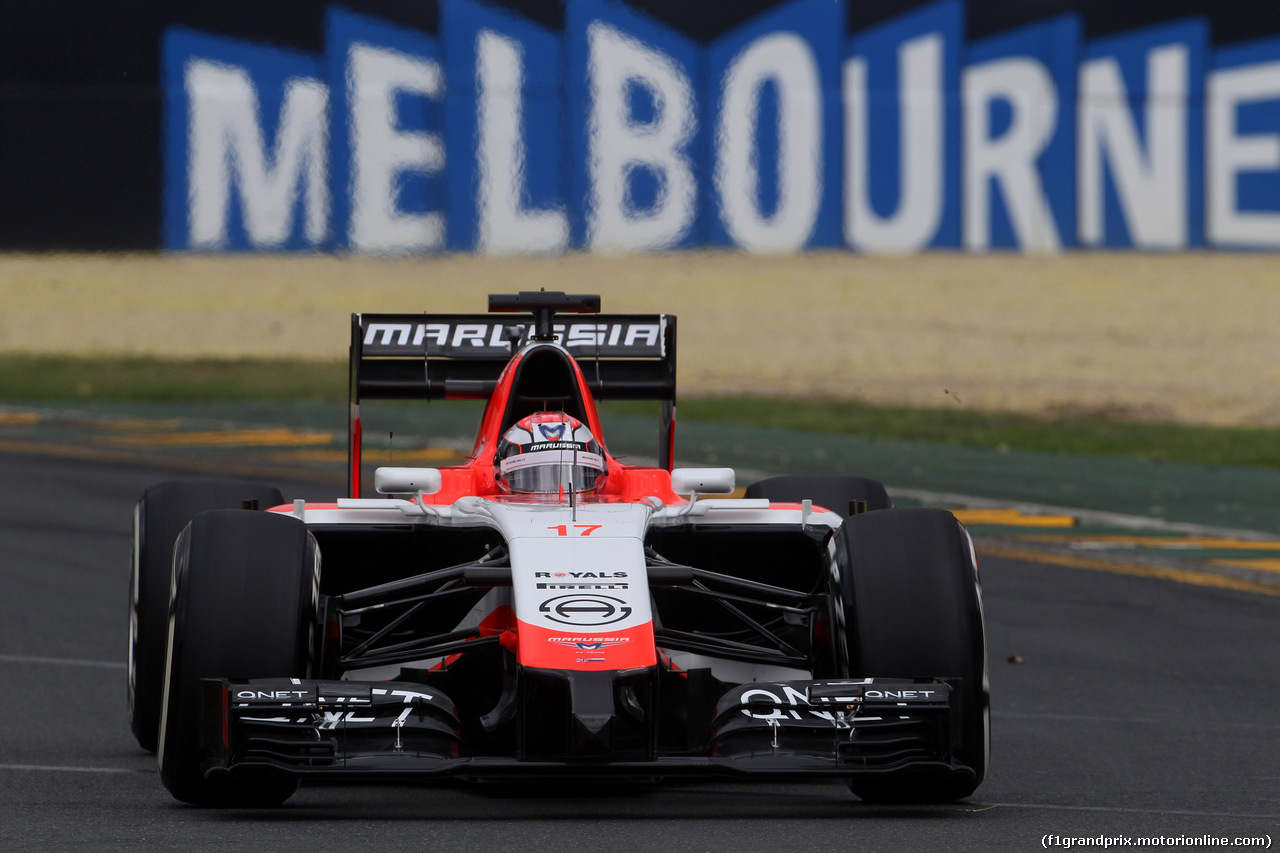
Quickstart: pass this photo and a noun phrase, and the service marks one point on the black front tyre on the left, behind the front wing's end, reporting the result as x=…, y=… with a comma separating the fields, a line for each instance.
x=245, y=605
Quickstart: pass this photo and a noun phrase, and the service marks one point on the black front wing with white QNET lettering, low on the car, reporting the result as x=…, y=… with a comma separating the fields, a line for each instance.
x=388, y=729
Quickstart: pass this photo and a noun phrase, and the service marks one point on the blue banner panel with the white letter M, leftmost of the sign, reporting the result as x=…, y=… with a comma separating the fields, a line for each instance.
x=246, y=147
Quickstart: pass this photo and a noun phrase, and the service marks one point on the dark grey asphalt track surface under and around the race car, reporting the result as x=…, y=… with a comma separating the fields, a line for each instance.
x=1140, y=708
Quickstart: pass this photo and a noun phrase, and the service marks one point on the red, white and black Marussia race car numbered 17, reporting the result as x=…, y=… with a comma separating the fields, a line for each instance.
x=546, y=610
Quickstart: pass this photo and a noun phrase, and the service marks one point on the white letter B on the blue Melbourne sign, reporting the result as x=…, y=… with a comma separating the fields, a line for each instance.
x=619, y=147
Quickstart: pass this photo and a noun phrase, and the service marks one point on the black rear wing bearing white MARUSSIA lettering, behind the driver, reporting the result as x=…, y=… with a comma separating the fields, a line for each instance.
x=460, y=357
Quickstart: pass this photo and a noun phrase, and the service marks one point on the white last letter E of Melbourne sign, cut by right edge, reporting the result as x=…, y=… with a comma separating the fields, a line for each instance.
x=1229, y=156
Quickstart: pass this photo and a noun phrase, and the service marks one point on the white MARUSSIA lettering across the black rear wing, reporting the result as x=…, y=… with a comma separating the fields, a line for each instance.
x=486, y=337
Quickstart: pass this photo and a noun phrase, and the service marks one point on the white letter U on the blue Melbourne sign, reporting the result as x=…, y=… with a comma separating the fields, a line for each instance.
x=922, y=177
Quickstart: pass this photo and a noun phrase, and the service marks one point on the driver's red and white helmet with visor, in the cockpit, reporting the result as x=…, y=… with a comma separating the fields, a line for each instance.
x=550, y=453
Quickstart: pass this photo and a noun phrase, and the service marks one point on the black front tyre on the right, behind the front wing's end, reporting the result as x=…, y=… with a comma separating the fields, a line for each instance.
x=912, y=608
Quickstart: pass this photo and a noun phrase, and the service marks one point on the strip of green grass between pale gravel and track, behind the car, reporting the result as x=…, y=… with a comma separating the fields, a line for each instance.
x=141, y=380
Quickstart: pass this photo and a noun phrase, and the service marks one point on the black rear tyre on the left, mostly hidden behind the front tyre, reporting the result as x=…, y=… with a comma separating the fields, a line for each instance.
x=158, y=519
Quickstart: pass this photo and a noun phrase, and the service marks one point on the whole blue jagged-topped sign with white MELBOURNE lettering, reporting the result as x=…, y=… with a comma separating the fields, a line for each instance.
x=616, y=134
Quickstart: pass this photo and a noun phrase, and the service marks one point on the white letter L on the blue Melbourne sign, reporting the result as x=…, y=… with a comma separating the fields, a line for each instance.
x=505, y=225
